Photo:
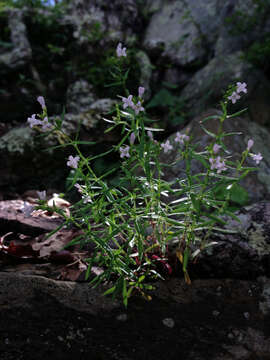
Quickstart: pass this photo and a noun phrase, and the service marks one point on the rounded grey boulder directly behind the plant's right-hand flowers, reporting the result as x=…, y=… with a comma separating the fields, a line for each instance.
x=256, y=183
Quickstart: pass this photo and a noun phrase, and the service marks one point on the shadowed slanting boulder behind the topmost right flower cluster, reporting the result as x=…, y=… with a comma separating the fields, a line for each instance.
x=207, y=86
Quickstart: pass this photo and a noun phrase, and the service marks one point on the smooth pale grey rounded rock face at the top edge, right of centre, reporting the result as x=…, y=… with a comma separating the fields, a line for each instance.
x=172, y=33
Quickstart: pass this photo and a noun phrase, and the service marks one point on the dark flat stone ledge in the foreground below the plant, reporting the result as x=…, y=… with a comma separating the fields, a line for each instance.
x=70, y=319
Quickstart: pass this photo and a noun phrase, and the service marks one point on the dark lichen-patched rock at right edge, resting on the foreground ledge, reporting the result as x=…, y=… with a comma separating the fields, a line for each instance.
x=243, y=254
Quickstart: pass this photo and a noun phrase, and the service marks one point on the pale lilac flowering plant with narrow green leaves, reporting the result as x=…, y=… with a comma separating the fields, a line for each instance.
x=133, y=225
